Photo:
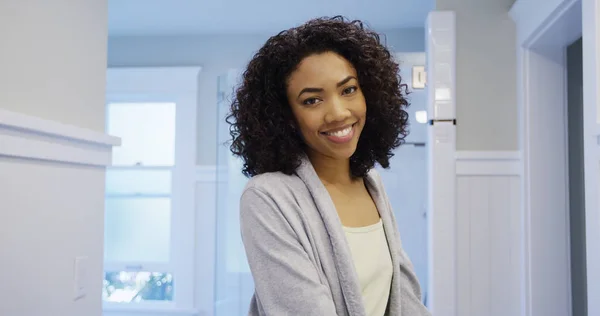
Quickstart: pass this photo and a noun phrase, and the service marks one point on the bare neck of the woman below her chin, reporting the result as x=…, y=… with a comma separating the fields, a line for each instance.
x=332, y=171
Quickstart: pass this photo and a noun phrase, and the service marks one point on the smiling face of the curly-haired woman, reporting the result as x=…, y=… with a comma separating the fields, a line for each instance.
x=328, y=104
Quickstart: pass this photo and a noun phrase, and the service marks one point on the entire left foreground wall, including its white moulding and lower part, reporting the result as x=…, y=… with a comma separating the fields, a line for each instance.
x=53, y=59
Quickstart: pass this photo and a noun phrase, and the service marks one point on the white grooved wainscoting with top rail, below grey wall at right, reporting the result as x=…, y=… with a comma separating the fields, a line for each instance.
x=489, y=221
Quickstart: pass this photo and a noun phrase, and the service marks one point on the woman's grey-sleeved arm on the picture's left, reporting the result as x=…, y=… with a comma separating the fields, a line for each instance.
x=285, y=279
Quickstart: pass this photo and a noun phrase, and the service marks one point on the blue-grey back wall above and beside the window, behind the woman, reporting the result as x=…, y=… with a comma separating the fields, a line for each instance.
x=217, y=54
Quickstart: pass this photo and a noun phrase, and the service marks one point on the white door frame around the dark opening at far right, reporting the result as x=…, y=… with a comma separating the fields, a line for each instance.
x=544, y=29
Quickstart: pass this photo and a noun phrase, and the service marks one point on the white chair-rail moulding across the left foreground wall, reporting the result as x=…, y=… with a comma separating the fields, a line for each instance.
x=27, y=137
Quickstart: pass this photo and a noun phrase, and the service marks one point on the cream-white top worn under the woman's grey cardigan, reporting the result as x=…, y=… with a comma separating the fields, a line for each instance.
x=373, y=263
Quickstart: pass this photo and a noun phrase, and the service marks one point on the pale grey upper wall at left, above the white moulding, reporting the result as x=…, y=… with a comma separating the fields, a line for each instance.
x=50, y=57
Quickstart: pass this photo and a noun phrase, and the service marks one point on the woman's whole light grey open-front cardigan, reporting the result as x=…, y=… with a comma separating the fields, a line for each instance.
x=298, y=254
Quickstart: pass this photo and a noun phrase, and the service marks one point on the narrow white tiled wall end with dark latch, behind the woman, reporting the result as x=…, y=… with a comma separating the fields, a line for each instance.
x=441, y=133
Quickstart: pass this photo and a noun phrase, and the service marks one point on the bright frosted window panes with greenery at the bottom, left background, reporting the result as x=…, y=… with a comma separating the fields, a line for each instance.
x=138, y=203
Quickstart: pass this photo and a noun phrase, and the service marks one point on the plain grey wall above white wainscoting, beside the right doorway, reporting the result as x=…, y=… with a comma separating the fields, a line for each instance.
x=486, y=104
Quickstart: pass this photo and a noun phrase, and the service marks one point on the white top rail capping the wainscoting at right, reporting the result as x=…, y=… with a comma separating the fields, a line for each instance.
x=488, y=163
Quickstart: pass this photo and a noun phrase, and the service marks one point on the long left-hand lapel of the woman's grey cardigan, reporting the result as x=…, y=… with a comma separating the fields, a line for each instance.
x=341, y=251
